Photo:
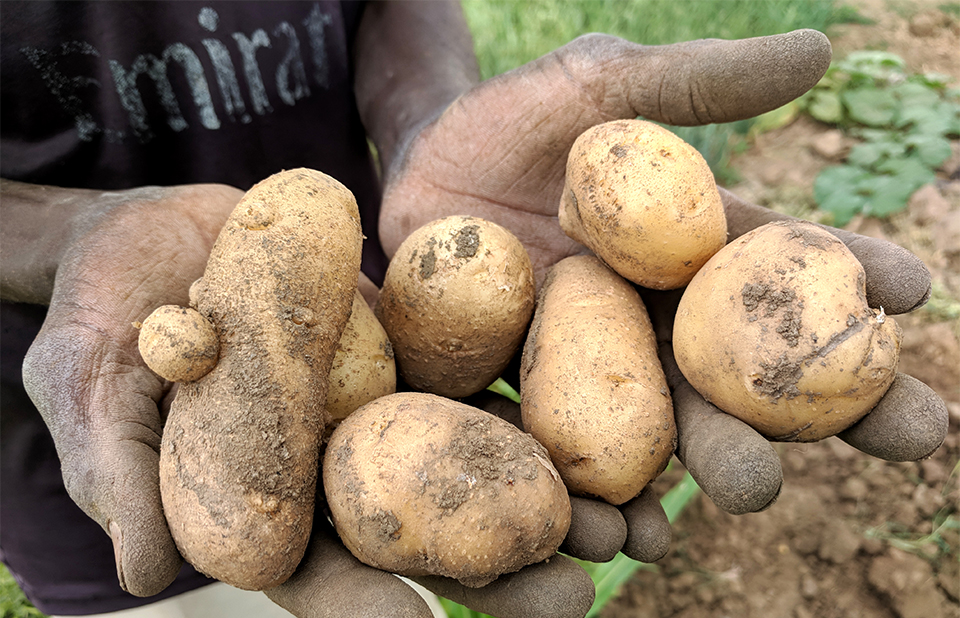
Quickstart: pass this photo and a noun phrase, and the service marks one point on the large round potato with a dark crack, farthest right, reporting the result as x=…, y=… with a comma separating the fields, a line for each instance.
x=776, y=330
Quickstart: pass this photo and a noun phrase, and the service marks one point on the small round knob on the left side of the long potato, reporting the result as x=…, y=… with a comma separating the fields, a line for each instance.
x=178, y=343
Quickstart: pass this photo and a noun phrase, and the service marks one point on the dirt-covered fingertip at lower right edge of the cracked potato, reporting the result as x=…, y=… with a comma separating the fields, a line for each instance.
x=909, y=423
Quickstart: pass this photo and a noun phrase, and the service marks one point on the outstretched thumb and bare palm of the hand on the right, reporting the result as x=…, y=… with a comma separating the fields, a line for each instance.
x=499, y=151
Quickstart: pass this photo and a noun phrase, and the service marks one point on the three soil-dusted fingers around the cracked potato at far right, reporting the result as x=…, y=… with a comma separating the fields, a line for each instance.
x=736, y=466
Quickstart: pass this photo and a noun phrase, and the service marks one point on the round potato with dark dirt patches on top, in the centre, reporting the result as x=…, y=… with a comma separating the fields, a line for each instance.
x=456, y=301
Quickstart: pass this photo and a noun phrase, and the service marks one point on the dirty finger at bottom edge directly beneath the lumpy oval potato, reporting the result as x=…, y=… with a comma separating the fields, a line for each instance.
x=558, y=588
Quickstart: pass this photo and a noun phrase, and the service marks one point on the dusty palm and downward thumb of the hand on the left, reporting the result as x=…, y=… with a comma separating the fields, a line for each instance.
x=127, y=253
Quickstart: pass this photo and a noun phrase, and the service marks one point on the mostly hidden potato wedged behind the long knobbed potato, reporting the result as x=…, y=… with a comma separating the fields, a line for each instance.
x=363, y=366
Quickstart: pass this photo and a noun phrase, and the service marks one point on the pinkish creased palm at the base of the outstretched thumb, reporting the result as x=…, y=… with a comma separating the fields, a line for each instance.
x=498, y=153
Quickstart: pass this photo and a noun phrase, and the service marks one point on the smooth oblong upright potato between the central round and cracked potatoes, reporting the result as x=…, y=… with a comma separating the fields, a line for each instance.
x=592, y=389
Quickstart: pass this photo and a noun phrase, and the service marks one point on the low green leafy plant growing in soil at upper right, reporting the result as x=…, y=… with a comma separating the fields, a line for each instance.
x=904, y=124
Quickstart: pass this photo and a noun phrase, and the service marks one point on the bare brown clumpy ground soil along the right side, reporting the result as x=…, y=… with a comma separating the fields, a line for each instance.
x=851, y=536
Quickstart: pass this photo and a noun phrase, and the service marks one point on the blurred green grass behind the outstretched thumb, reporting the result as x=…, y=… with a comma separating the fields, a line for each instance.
x=510, y=33
